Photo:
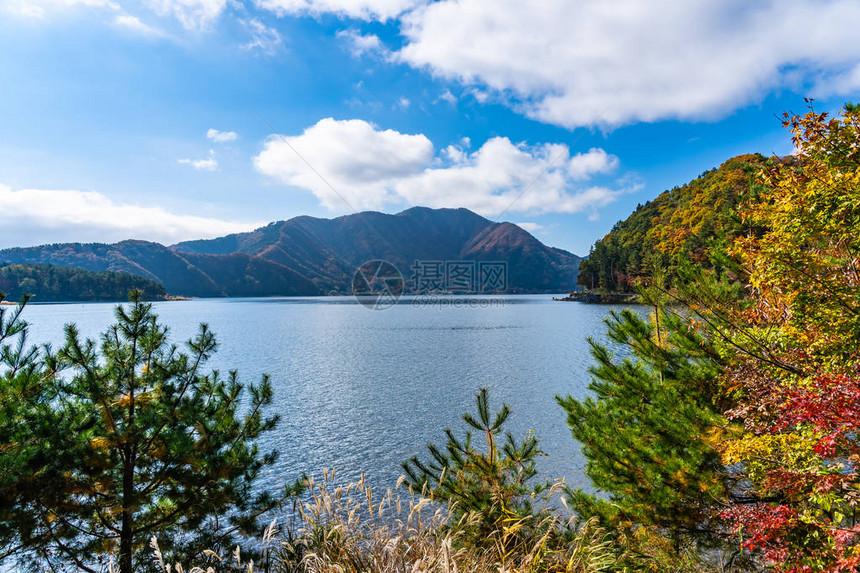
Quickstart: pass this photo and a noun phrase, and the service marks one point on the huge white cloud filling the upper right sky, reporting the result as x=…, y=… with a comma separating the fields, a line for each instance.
x=578, y=62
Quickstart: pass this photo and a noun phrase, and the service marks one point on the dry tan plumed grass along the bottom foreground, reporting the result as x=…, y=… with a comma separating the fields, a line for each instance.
x=348, y=529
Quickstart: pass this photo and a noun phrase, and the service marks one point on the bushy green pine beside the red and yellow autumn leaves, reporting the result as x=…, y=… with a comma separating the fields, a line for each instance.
x=648, y=430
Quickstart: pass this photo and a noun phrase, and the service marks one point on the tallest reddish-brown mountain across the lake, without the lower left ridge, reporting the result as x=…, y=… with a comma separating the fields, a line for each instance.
x=329, y=250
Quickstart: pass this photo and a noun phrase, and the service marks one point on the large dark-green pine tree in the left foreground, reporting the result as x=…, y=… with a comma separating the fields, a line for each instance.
x=135, y=440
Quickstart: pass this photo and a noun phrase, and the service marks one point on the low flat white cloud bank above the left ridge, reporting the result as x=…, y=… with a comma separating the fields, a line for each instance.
x=45, y=216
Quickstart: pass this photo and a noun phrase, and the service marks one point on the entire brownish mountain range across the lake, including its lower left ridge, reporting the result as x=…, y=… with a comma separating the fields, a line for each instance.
x=312, y=256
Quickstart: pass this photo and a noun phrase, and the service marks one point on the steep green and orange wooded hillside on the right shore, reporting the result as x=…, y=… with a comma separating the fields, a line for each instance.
x=680, y=222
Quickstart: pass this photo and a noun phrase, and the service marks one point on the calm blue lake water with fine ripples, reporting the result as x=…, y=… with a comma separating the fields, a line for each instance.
x=361, y=390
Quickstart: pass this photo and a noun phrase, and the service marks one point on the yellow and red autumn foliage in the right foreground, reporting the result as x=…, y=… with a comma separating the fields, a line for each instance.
x=797, y=381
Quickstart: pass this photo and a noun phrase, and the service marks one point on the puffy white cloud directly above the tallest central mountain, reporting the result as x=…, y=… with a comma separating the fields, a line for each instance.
x=371, y=169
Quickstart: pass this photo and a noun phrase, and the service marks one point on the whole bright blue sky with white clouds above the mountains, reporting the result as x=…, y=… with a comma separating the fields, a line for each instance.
x=154, y=119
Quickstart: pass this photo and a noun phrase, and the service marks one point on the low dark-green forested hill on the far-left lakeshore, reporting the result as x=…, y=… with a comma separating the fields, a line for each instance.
x=49, y=283
